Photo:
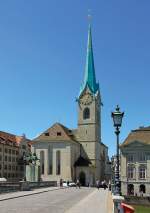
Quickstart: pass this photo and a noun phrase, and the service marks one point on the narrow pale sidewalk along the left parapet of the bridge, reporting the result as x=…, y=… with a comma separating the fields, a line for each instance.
x=12, y=195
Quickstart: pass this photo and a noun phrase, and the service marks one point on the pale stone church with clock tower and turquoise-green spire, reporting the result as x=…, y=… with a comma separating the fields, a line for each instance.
x=72, y=154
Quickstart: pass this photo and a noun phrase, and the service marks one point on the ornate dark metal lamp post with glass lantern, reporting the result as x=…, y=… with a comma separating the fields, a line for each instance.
x=117, y=119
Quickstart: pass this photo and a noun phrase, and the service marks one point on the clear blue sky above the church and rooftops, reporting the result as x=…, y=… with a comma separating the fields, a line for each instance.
x=42, y=62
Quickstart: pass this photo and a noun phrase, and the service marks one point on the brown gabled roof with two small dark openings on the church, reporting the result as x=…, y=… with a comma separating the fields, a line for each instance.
x=57, y=132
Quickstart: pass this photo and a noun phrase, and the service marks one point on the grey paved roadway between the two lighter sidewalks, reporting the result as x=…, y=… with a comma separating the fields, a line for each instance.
x=58, y=201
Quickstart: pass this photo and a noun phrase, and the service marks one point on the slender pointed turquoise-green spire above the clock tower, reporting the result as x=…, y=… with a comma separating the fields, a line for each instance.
x=89, y=76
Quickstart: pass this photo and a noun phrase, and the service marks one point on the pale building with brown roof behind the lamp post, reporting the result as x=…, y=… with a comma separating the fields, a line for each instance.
x=135, y=163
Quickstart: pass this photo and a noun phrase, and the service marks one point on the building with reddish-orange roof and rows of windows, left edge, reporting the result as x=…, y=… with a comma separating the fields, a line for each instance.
x=12, y=149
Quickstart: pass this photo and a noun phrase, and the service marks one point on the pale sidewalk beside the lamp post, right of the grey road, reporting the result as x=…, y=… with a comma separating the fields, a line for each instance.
x=96, y=202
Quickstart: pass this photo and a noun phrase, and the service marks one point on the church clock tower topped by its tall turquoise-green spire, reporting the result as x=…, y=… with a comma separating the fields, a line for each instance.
x=89, y=112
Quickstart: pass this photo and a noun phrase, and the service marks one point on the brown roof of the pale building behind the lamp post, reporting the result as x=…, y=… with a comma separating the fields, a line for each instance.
x=142, y=135
